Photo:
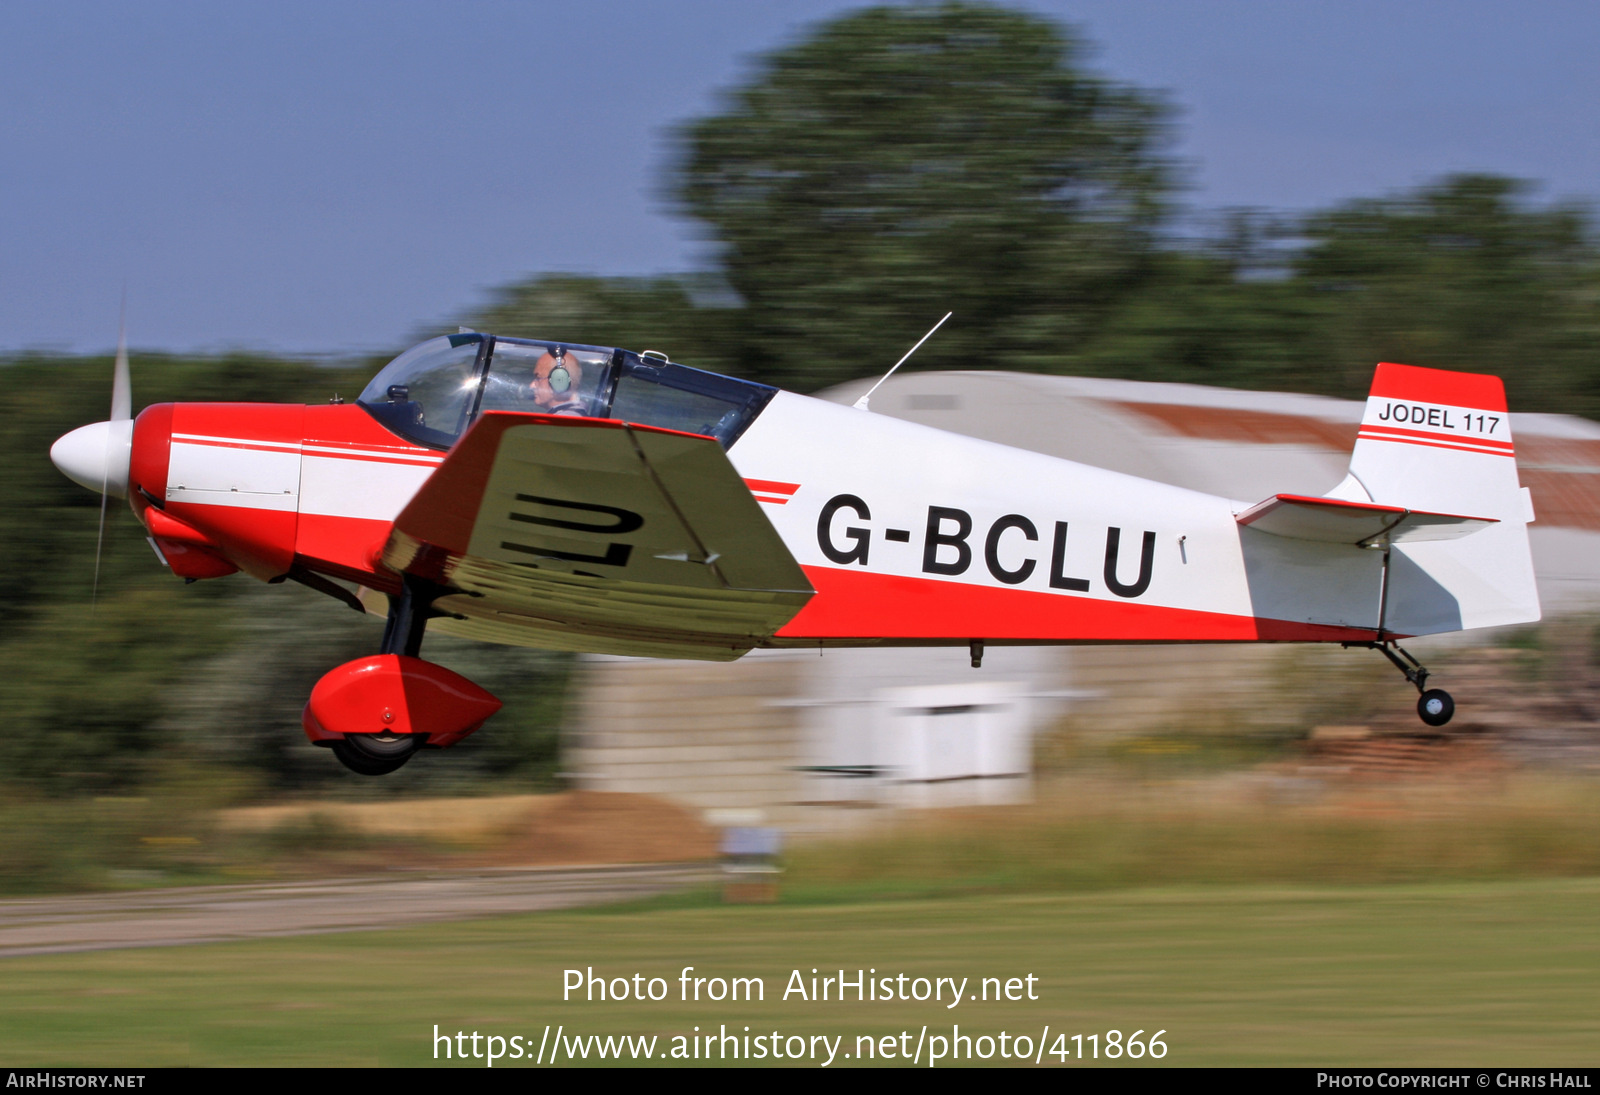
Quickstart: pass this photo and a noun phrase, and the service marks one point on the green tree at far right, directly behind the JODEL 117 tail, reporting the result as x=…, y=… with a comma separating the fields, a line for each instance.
x=1460, y=275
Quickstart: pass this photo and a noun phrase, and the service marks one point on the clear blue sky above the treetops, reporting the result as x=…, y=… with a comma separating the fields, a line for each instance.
x=329, y=178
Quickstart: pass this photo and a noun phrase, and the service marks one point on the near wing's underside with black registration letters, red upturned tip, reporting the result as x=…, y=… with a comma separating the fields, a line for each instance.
x=598, y=535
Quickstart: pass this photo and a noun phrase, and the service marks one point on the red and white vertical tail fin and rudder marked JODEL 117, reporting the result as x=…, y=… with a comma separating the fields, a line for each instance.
x=1439, y=441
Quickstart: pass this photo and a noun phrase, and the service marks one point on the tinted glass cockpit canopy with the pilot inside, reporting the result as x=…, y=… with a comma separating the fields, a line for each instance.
x=434, y=391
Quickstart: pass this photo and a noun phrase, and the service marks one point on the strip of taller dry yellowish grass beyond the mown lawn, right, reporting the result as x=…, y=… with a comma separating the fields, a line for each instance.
x=1124, y=835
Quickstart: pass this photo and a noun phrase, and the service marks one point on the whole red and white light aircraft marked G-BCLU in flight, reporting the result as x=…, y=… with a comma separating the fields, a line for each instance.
x=598, y=500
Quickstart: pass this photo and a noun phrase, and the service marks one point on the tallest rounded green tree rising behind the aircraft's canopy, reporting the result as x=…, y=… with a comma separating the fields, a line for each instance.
x=910, y=161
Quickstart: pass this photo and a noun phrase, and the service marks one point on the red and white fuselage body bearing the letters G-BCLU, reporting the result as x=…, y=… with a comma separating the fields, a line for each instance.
x=906, y=534
